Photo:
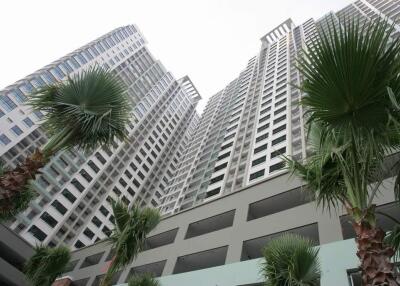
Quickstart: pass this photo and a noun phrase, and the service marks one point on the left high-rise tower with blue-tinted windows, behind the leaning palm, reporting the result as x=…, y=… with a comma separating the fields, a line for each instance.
x=75, y=189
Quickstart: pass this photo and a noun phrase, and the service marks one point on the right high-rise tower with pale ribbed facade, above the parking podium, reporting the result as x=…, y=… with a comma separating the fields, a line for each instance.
x=247, y=126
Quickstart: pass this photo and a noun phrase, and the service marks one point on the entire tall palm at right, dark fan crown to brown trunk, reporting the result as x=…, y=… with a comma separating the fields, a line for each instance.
x=351, y=90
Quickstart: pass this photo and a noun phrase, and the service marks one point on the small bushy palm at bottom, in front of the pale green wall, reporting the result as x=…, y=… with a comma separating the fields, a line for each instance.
x=291, y=260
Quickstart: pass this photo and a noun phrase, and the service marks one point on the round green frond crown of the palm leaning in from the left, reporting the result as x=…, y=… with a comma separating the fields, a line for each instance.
x=88, y=110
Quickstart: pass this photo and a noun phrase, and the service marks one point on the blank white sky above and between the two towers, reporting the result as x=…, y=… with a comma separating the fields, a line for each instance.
x=209, y=40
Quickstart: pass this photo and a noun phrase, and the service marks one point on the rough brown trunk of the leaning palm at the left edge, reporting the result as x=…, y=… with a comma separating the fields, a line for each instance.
x=14, y=181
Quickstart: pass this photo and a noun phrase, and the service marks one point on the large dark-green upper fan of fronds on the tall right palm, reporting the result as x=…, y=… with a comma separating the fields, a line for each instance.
x=347, y=74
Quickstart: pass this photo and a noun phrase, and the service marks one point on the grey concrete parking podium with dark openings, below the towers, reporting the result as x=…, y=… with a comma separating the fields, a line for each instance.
x=215, y=240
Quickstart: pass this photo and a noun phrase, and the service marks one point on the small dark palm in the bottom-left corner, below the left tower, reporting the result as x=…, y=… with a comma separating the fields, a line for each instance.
x=46, y=264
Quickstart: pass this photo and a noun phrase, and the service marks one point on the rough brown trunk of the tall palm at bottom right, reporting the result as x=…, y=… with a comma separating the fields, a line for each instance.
x=375, y=256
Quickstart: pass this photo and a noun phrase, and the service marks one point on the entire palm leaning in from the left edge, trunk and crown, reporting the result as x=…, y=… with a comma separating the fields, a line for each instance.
x=86, y=111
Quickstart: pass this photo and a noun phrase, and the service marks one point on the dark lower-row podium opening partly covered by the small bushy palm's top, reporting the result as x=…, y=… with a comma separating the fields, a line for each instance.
x=252, y=248
